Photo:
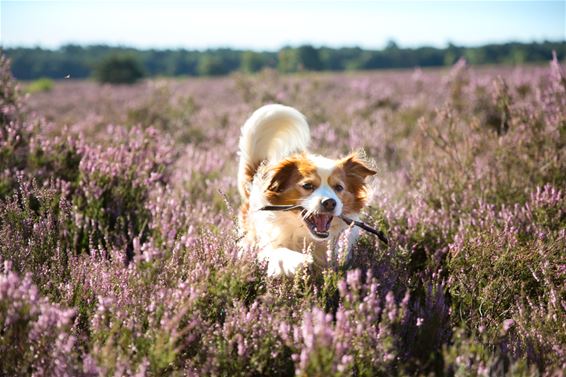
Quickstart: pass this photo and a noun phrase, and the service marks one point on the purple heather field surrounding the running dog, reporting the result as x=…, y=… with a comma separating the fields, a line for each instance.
x=118, y=237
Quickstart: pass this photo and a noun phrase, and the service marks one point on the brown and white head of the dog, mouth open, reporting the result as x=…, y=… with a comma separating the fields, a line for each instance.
x=325, y=188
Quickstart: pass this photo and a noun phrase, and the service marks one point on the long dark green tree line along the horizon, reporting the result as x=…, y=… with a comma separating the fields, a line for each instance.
x=82, y=61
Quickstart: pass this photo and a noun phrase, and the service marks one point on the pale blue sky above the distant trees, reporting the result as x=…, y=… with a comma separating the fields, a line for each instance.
x=269, y=25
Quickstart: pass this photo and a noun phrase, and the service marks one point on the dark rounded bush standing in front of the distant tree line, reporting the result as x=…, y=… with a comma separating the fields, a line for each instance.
x=119, y=69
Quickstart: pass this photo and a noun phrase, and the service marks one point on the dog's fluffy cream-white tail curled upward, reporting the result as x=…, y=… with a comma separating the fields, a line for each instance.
x=273, y=132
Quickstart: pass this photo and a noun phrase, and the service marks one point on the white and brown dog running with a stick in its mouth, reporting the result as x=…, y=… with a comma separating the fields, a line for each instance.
x=277, y=169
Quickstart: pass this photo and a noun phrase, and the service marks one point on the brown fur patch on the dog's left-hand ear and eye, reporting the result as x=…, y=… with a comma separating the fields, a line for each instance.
x=284, y=186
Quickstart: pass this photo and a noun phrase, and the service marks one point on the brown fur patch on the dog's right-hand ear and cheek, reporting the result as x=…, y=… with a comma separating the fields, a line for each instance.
x=351, y=172
